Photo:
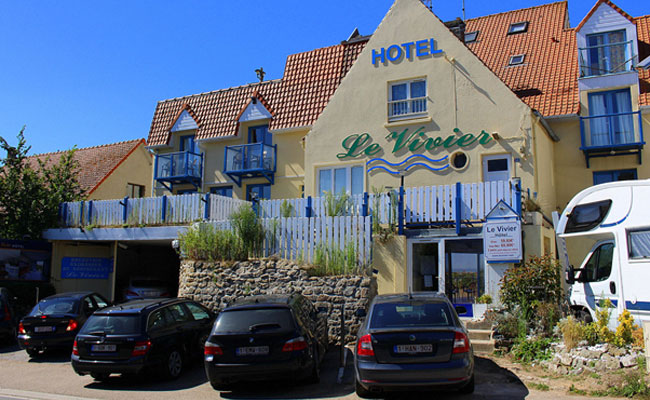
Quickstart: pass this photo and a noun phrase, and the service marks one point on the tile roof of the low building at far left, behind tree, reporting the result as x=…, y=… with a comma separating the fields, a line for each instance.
x=96, y=163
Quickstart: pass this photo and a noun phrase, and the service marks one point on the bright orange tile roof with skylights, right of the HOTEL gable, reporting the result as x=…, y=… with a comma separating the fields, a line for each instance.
x=547, y=81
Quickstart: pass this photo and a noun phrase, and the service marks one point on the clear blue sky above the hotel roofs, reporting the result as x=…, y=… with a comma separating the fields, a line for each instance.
x=87, y=73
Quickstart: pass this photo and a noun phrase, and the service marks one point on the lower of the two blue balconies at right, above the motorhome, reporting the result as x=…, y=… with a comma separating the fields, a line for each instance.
x=612, y=135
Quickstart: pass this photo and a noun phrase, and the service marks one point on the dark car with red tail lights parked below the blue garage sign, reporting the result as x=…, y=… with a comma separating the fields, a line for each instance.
x=55, y=321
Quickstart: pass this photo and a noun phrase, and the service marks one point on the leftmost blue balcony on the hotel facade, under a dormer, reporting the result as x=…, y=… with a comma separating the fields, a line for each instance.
x=182, y=167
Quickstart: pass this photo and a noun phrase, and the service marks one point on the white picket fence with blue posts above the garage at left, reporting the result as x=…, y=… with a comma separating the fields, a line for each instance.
x=147, y=211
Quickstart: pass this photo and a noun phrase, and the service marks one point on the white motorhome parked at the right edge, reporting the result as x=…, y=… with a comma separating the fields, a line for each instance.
x=610, y=223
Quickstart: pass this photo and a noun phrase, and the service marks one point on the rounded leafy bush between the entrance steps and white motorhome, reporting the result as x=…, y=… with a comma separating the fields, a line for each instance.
x=535, y=282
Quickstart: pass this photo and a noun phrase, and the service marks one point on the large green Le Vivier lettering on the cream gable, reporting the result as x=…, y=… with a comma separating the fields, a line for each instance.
x=362, y=144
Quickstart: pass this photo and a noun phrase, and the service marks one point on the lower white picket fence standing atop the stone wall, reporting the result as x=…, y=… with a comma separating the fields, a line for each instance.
x=298, y=238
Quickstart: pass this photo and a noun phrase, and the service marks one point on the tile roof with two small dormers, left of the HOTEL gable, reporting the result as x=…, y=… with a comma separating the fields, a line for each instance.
x=296, y=100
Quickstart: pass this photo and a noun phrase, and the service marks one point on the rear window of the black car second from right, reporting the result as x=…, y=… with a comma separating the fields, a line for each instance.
x=255, y=320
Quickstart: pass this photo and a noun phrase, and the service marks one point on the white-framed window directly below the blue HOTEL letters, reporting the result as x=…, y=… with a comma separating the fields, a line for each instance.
x=407, y=99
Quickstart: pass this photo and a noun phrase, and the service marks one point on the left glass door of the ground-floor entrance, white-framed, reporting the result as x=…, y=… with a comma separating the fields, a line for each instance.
x=424, y=268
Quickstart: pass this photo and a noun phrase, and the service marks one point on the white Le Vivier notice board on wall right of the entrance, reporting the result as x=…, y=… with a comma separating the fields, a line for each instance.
x=502, y=241
